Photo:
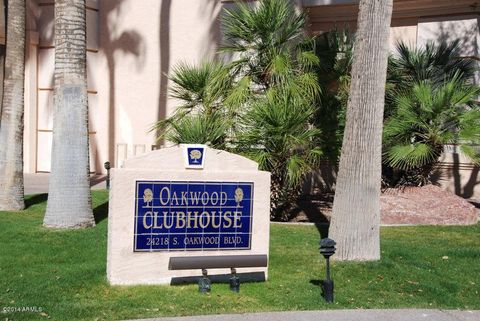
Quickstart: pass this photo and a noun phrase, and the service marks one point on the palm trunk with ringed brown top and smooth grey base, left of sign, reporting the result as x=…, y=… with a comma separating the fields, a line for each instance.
x=69, y=199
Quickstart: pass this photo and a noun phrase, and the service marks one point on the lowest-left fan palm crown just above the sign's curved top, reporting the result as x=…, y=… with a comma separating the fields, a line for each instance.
x=202, y=116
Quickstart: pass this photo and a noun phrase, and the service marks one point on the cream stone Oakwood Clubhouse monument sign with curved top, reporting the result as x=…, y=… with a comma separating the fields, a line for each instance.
x=181, y=201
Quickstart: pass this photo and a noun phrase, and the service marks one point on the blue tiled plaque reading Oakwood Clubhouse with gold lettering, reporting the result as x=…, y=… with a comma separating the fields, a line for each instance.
x=198, y=216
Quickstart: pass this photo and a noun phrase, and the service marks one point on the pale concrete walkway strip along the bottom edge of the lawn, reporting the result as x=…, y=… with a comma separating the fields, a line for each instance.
x=339, y=315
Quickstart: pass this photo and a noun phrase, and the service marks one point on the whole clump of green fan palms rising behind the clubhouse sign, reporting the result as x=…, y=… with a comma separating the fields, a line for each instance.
x=270, y=83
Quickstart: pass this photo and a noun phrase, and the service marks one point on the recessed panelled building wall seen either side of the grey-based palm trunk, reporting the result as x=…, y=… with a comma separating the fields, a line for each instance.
x=40, y=51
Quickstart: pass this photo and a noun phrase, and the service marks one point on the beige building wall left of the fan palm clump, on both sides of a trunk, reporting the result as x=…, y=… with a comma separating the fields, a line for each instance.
x=131, y=47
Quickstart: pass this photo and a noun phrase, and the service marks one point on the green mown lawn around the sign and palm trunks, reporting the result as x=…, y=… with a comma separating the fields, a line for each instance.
x=63, y=272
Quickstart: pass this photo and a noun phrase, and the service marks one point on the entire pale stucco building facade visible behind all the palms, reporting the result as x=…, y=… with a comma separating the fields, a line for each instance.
x=133, y=45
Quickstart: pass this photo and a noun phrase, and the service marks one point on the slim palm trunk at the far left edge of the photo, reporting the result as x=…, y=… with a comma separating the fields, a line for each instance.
x=11, y=125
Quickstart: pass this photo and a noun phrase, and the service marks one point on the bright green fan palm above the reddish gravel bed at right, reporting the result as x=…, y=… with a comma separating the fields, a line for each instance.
x=427, y=118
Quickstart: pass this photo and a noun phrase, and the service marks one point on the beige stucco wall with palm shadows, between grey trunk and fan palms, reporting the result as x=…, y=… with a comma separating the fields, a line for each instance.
x=139, y=45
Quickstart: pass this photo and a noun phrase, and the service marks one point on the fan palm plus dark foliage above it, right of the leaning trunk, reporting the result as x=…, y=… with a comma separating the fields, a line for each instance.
x=428, y=101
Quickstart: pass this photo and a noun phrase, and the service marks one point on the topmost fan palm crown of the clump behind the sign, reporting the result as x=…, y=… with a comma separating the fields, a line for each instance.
x=267, y=41
